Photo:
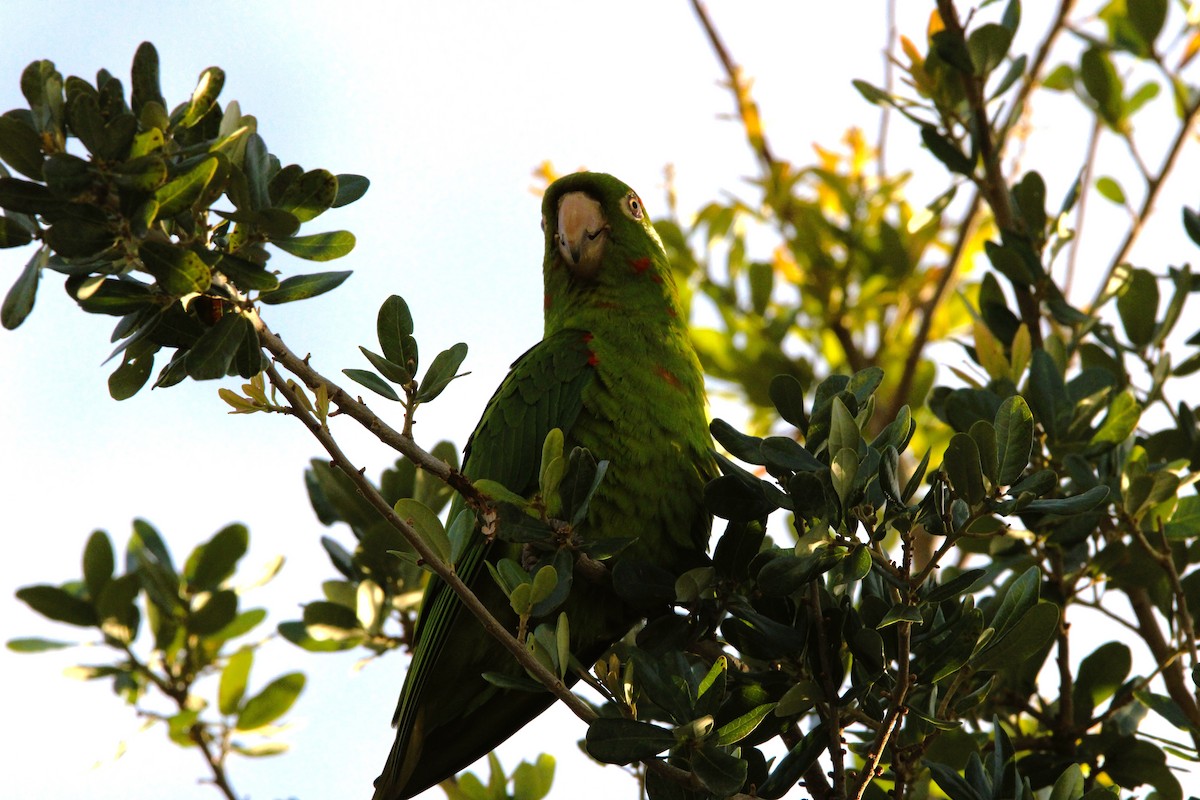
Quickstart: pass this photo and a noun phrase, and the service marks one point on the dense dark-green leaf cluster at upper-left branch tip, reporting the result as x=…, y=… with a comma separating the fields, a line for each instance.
x=133, y=225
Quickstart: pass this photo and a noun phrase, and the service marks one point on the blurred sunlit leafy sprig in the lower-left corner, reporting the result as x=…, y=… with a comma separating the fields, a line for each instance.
x=195, y=631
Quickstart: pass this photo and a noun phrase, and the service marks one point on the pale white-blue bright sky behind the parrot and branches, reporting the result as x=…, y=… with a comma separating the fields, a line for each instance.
x=448, y=109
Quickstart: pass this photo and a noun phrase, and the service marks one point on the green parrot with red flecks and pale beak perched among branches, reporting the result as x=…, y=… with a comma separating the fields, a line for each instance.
x=617, y=374
